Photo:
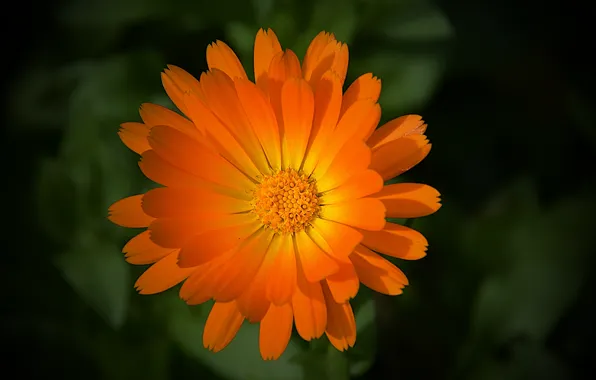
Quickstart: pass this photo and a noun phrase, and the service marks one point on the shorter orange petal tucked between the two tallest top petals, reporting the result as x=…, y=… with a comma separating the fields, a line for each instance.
x=284, y=65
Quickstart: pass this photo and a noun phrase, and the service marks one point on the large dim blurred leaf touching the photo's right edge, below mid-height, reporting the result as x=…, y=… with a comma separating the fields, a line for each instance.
x=548, y=263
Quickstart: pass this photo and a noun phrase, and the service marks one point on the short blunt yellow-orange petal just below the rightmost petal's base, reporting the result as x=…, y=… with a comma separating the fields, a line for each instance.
x=365, y=213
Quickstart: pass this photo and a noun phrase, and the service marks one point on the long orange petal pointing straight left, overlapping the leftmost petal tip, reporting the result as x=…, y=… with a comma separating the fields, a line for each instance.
x=166, y=202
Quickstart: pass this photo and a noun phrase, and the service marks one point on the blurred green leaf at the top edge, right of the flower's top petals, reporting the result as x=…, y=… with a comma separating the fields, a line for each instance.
x=413, y=62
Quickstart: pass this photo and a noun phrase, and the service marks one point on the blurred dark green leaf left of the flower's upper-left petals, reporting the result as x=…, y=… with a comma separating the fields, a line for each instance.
x=108, y=93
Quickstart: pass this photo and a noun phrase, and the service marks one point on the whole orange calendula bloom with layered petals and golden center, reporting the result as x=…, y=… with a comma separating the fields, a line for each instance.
x=273, y=202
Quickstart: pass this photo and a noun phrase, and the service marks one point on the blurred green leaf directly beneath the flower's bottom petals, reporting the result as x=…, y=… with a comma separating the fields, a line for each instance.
x=240, y=360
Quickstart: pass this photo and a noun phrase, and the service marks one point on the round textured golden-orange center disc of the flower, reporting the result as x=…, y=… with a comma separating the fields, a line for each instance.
x=286, y=201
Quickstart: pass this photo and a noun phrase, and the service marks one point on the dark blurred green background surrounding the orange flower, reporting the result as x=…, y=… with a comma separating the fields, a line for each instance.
x=507, y=288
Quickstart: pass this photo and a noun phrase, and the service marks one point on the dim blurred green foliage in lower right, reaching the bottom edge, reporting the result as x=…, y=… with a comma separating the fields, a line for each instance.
x=538, y=262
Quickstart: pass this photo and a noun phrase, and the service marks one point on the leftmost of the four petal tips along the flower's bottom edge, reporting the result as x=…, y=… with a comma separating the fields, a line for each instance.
x=221, y=327
